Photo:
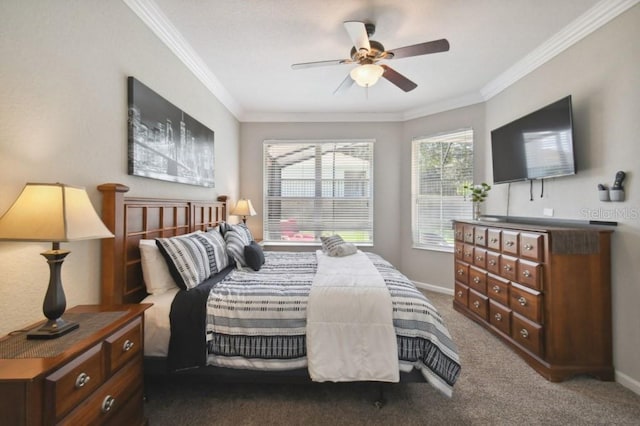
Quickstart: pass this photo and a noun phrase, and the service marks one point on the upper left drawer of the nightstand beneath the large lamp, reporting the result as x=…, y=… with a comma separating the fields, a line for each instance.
x=72, y=383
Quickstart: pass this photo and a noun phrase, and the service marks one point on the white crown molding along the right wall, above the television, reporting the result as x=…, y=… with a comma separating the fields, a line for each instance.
x=591, y=20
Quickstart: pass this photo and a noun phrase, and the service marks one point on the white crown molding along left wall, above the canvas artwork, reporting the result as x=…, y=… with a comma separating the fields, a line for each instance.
x=152, y=16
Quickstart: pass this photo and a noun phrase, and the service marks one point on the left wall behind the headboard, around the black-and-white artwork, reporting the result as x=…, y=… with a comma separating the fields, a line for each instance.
x=63, y=118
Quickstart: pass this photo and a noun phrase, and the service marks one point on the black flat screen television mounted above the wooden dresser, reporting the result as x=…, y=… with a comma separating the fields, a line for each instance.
x=536, y=146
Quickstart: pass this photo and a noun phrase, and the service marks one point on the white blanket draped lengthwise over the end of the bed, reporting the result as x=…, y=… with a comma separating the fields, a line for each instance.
x=350, y=333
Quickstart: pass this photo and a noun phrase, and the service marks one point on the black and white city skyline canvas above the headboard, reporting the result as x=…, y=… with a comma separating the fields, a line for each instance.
x=166, y=143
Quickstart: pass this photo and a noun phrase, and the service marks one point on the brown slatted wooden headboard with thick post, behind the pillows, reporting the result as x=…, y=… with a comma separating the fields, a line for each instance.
x=132, y=219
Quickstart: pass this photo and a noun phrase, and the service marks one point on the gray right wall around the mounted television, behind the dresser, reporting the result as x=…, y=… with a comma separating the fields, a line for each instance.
x=602, y=73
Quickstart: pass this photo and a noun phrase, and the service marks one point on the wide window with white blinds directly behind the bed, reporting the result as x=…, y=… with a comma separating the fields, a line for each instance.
x=318, y=188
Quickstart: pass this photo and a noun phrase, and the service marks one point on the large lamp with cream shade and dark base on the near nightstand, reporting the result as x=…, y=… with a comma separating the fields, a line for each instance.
x=52, y=212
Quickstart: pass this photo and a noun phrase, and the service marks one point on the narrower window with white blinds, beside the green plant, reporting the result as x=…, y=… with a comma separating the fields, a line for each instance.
x=440, y=166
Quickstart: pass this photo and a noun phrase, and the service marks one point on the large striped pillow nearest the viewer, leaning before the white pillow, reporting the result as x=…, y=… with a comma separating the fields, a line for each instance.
x=193, y=258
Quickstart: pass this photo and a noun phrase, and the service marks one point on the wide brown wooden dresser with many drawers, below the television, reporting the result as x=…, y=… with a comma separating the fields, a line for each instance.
x=545, y=291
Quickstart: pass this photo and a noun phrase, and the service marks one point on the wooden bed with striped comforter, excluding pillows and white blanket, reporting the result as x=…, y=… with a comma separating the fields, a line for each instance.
x=179, y=319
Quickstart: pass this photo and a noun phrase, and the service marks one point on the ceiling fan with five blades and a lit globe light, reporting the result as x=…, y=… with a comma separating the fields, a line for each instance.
x=366, y=53
